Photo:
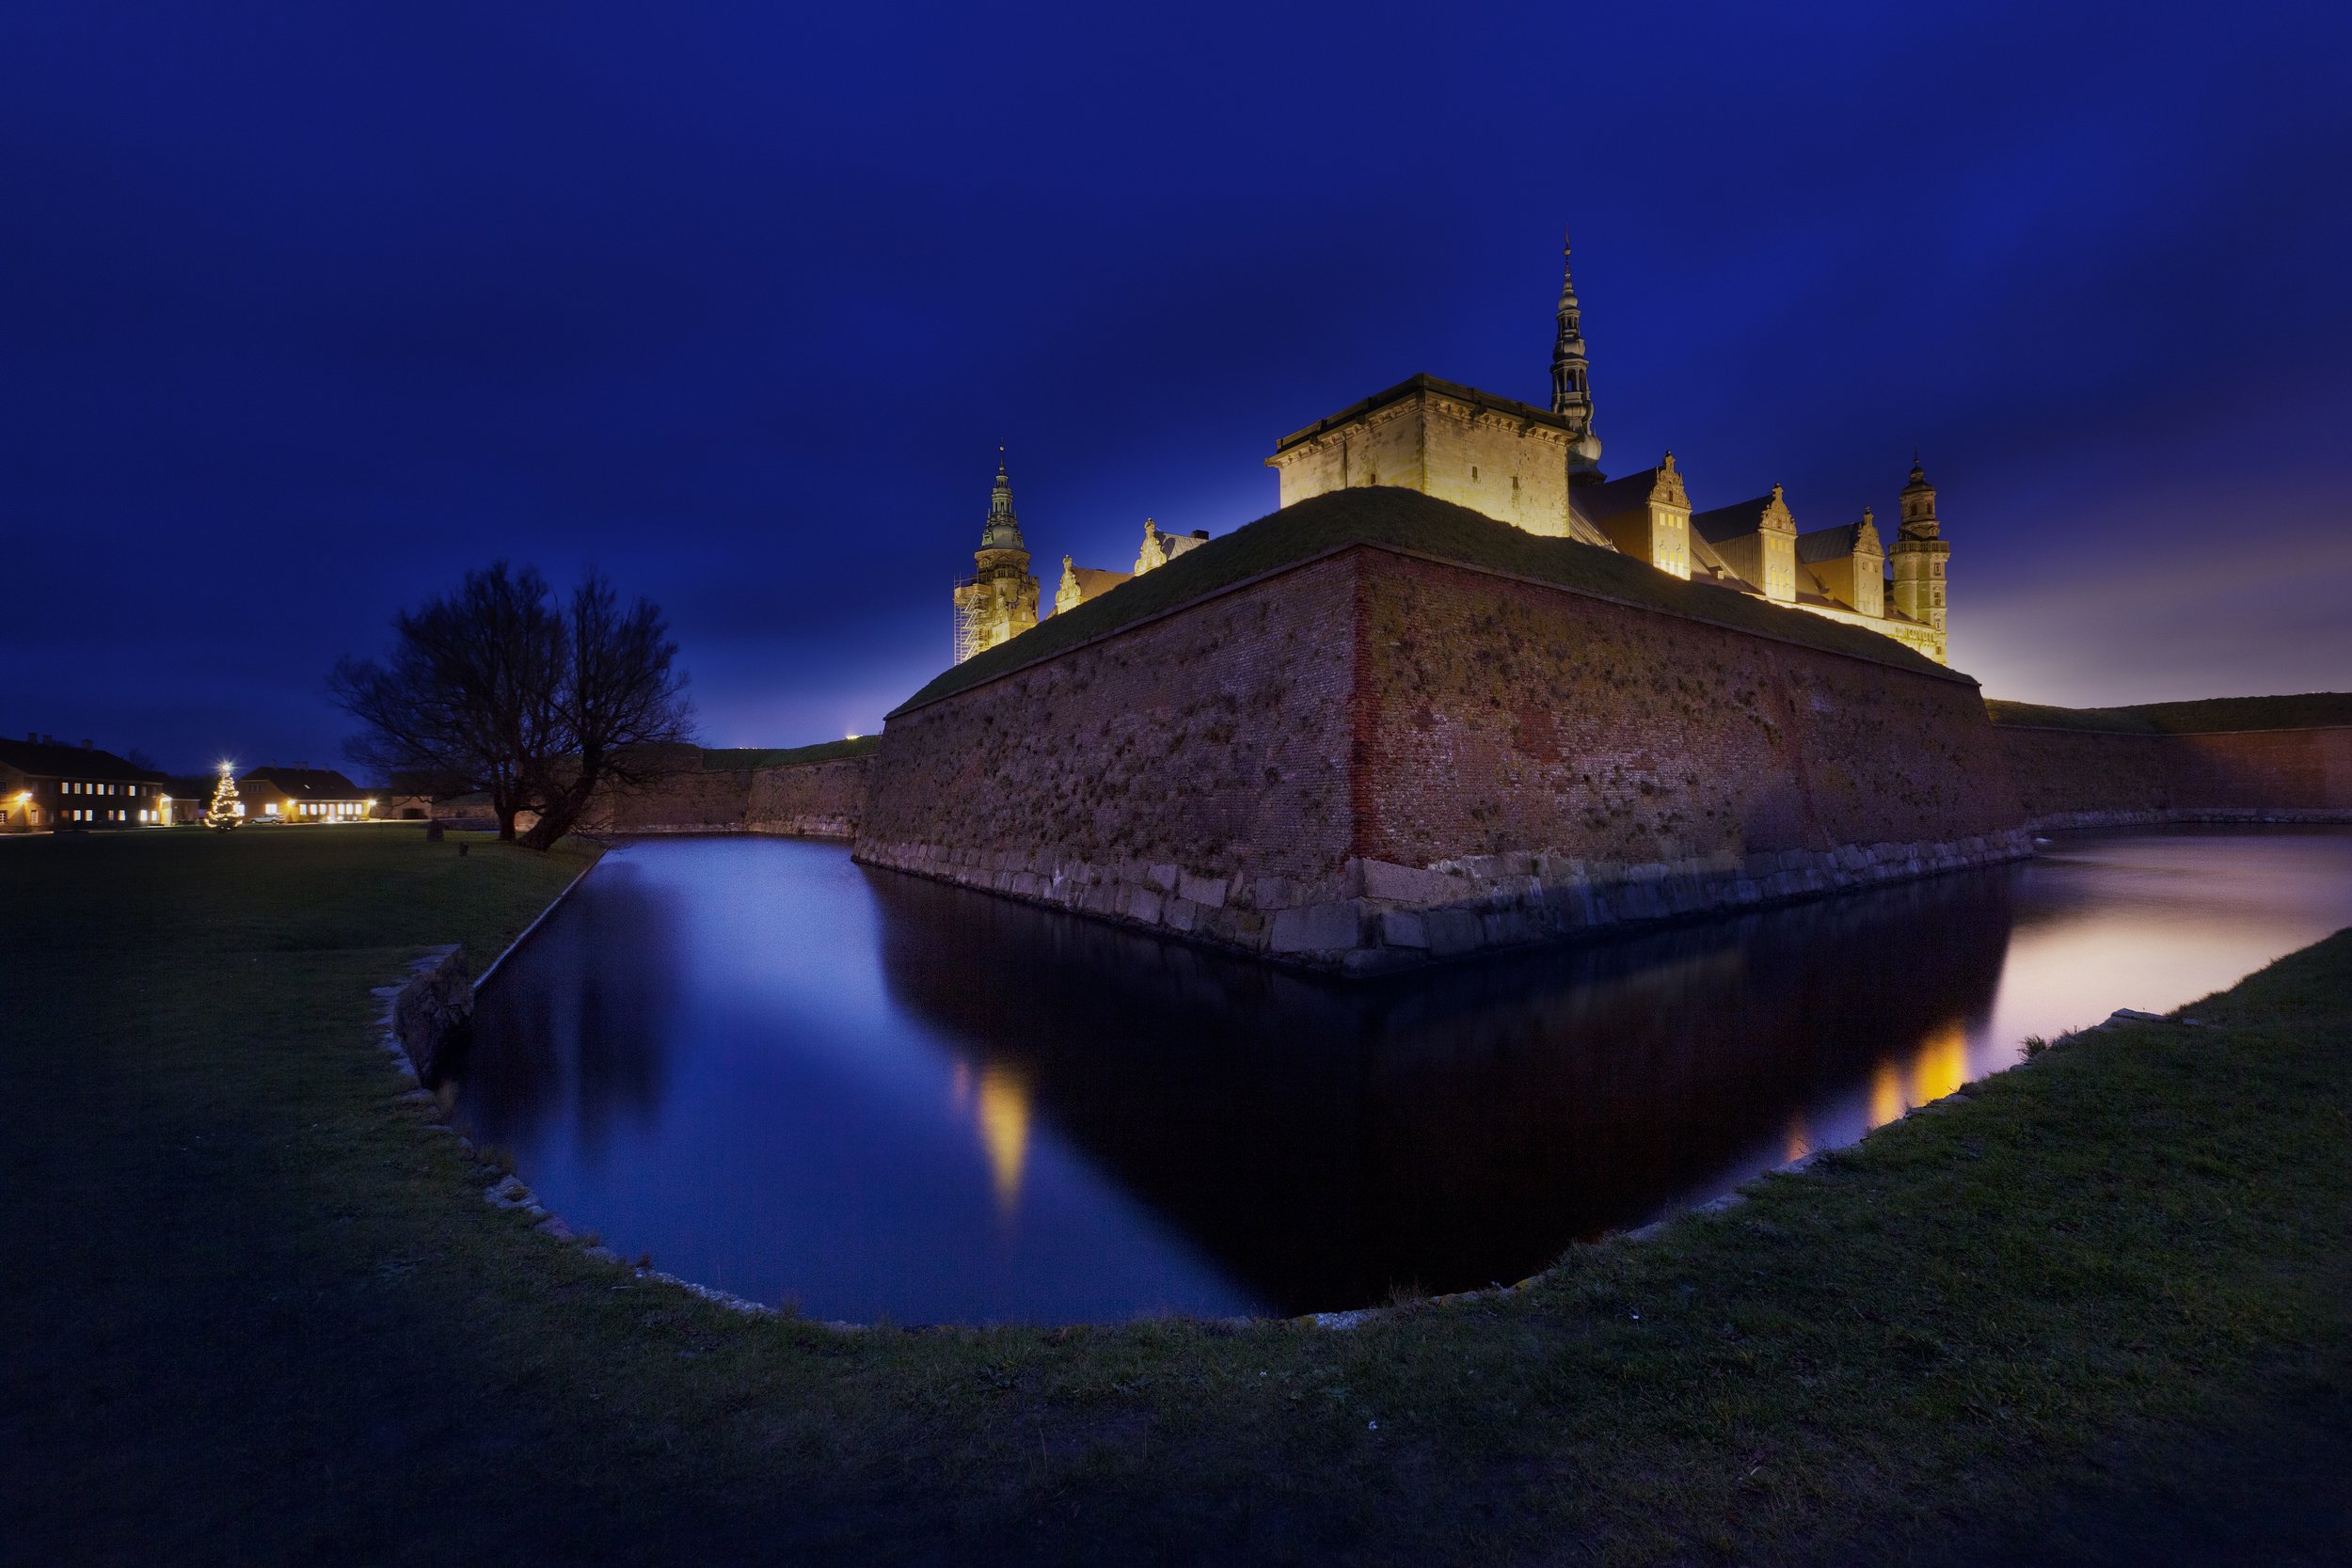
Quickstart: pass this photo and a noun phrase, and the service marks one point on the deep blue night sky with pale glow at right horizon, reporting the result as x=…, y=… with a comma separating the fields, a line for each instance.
x=305, y=309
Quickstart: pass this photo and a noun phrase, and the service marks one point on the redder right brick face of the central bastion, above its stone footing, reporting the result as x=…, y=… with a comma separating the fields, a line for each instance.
x=1521, y=718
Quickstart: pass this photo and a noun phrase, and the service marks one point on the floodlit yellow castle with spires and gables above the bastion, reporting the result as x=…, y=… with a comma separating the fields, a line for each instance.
x=1539, y=471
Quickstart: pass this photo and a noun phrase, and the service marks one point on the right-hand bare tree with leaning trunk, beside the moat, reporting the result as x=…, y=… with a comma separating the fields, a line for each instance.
x=620, y=692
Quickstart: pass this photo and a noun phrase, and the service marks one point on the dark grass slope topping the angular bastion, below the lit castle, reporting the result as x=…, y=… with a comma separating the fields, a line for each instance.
x=1410, y=523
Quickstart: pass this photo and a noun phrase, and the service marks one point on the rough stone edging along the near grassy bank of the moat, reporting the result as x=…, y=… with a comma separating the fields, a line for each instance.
x=436, y=1000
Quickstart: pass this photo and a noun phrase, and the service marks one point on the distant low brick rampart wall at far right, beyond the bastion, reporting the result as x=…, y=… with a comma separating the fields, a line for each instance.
x=2080, y=777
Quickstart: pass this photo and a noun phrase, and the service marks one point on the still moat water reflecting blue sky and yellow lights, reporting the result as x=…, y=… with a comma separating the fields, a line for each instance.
x=794, y=1078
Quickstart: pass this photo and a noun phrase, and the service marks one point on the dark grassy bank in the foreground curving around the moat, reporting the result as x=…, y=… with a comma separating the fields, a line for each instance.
x=258, y=1313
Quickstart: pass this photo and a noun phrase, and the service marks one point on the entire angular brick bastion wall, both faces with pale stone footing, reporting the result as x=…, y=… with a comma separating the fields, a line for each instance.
x=1377, y=760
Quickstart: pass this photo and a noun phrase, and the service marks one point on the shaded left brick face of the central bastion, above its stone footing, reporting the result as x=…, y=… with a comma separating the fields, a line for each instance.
x=1215, y=739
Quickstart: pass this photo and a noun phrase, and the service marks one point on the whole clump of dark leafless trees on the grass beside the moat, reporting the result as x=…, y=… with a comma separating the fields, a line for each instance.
x=500, y=690
